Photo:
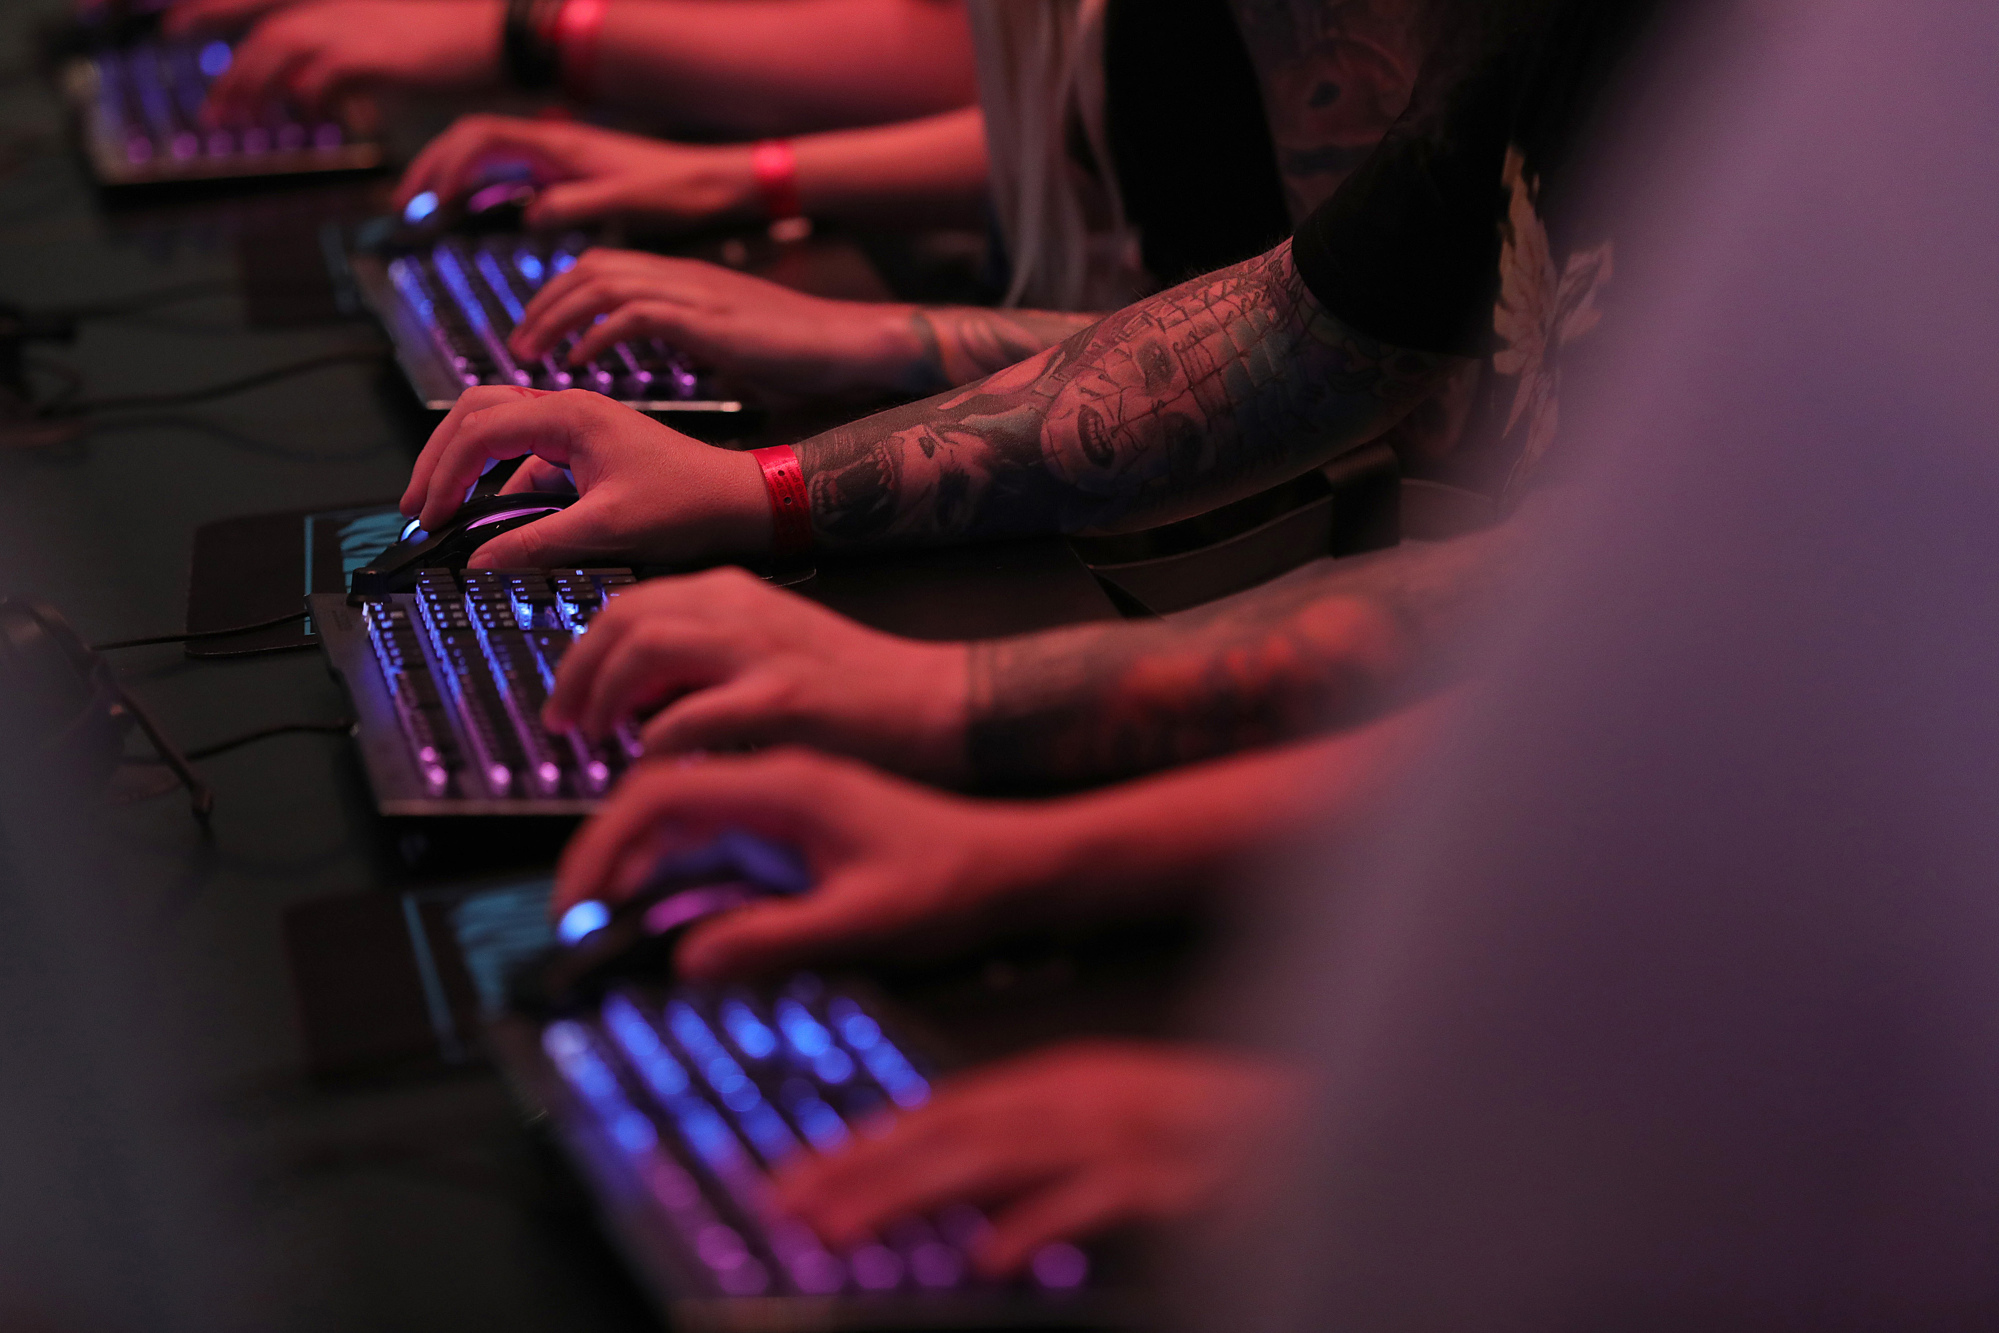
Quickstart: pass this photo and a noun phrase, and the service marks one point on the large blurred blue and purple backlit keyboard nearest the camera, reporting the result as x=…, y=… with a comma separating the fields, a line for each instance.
x=677, y=1106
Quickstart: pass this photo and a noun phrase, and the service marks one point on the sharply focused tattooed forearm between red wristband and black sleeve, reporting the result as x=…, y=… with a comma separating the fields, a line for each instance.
x=1172, y=407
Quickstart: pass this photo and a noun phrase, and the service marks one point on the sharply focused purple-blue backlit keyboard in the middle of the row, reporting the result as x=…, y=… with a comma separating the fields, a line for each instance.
x=449, y=686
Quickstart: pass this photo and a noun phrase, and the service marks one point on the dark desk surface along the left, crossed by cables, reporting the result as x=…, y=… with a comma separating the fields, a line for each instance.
x=399, y=1206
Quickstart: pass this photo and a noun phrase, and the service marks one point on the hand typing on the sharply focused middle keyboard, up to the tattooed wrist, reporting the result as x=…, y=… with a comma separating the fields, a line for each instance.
x=731, y=661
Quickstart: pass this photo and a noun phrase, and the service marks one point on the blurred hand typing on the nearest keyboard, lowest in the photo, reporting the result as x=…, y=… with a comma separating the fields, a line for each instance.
x=1058, y=1146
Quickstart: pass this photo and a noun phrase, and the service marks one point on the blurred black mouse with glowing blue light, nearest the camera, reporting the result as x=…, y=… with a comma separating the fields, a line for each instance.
x=603, y=944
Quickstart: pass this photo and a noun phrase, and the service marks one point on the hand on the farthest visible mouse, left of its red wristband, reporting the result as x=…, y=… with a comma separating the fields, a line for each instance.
x=589, y=173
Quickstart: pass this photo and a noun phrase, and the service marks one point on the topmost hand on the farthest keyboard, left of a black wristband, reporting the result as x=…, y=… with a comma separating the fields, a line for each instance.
x=319, y=51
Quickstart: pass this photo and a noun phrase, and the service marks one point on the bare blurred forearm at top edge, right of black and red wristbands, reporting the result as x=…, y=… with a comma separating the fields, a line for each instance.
x=747, y=69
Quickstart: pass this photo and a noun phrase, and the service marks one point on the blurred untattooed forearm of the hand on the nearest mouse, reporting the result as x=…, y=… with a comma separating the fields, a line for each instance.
x=1162, y=844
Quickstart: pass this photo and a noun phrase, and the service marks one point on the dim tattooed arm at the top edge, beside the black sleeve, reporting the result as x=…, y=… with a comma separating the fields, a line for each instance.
x=1334, y=75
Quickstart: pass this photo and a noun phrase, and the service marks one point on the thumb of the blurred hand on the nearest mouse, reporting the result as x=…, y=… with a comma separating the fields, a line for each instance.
x=781, y=934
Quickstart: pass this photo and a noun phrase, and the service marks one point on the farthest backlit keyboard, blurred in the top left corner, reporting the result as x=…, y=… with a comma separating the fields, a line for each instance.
x=141, y=109
